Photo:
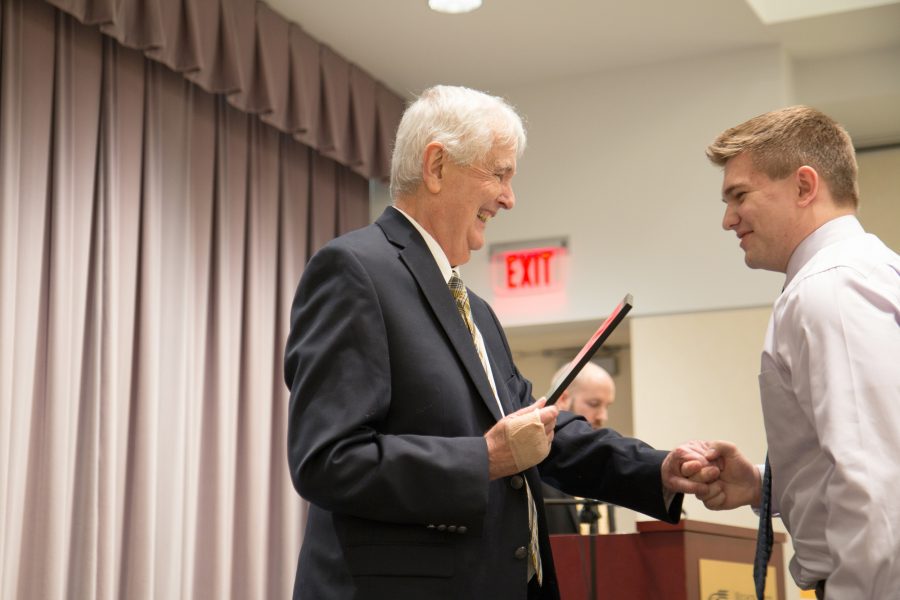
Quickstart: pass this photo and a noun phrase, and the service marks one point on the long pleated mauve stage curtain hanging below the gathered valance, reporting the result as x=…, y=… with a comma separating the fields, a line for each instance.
x=151, y=236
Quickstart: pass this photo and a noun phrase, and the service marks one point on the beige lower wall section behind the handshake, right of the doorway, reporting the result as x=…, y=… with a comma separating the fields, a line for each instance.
x=695, y=377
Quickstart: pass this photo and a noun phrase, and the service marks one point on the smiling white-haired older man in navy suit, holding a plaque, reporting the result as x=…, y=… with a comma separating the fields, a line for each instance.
x=399, y=423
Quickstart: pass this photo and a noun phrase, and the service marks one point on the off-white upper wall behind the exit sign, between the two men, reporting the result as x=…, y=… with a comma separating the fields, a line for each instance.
x=616, y=162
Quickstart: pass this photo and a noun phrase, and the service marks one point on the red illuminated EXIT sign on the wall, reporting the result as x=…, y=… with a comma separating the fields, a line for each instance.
x=529, y=269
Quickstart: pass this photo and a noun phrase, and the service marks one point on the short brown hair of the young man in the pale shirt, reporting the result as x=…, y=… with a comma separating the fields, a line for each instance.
x=782, y=141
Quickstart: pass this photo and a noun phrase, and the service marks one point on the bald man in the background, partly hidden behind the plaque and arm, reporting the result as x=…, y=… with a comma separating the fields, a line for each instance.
x=589, y=395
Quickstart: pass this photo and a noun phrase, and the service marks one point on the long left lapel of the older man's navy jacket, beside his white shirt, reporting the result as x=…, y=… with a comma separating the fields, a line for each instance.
x=414, y=253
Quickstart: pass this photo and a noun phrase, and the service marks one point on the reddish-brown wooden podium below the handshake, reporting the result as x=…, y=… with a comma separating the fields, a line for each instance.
x=660, y=561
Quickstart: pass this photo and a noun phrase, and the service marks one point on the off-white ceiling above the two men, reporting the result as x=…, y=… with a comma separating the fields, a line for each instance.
x=507, y=43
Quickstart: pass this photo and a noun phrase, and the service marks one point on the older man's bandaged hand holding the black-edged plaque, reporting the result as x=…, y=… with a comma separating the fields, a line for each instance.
x=520, y=440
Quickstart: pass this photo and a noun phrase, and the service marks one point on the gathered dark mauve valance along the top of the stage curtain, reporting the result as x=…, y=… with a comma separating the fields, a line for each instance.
x=266, y=65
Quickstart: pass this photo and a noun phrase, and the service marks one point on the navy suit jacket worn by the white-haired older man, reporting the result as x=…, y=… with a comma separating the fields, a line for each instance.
x=388, y=408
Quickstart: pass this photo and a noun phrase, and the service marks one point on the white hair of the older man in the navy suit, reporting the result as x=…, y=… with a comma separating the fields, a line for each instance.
x=468, y=123
